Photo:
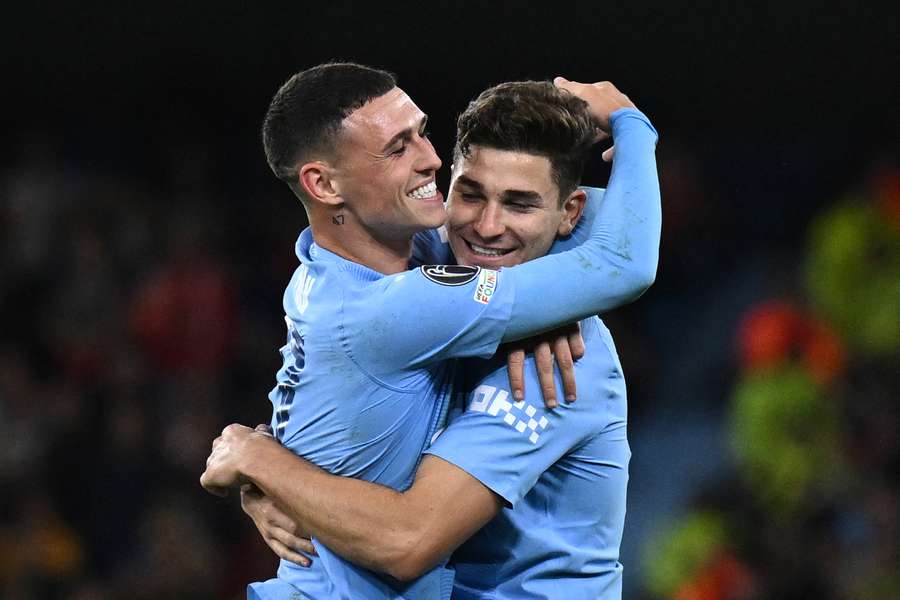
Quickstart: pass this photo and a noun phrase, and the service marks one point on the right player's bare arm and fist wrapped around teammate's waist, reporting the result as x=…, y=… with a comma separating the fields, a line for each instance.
x=401, y=534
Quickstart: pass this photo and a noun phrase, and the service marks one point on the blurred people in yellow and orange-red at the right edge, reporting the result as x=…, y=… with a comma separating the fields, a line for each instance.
x=810, y=504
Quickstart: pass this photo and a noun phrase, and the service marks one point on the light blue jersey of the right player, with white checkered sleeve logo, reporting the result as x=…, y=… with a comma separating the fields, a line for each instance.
x=563, y=474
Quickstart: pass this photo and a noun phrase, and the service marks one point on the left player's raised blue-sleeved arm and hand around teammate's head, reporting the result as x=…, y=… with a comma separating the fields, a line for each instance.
x=424, y=316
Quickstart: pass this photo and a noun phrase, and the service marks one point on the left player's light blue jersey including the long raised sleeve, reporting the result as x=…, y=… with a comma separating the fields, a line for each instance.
x=366, y=375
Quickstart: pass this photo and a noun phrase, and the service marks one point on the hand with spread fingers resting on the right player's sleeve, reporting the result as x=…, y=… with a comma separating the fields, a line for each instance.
x=565, y=345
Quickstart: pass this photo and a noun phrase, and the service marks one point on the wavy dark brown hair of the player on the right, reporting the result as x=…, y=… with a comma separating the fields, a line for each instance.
x=534, y=117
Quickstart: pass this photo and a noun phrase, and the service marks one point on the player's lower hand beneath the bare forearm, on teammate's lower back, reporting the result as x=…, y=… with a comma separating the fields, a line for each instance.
x=279, y=530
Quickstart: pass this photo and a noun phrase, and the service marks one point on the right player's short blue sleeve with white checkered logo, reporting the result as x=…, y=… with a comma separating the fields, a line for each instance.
x=507, y=445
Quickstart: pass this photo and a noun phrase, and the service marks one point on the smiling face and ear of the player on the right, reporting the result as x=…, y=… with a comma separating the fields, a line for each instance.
x=504, y=208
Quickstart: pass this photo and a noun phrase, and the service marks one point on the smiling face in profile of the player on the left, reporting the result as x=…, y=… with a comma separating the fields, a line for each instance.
x=386, y=171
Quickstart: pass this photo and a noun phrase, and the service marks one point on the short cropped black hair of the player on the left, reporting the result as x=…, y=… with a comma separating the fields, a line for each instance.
x=306, y=113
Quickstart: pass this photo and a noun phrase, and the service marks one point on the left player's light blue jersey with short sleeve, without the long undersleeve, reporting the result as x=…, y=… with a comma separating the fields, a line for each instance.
x=359, y=406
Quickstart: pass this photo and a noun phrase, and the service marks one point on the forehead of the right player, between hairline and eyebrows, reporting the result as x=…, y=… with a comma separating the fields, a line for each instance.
x=498, y=171
